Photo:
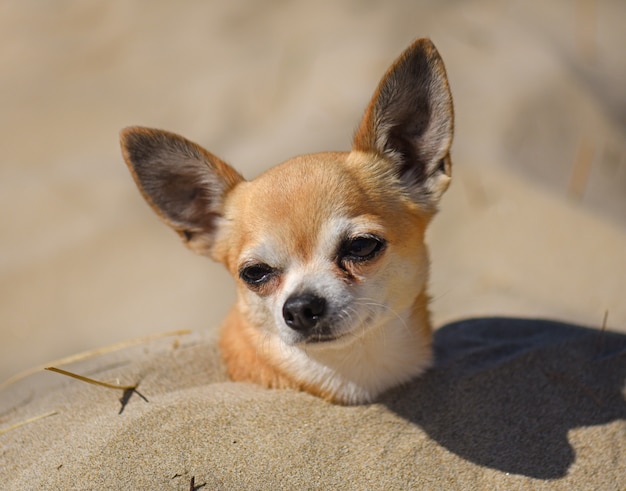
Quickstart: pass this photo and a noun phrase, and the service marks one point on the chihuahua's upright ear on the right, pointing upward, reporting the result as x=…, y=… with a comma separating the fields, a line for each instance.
x=410, y=122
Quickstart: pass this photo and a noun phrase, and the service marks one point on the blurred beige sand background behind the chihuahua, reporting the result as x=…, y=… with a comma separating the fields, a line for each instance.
x=533, y=226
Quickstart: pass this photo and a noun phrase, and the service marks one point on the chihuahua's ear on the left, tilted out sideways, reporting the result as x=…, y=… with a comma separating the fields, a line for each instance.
x=184, y=184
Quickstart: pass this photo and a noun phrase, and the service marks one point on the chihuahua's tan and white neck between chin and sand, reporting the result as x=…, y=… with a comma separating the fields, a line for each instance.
x=386, y=355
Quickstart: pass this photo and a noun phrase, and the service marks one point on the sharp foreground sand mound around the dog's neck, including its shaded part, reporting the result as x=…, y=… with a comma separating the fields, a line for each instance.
x=510, y=404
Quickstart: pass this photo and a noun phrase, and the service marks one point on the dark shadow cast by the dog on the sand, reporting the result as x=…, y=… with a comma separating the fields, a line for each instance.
x=505, y=392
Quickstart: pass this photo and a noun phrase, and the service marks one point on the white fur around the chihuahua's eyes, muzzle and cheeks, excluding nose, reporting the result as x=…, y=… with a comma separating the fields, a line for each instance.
x=354, y=305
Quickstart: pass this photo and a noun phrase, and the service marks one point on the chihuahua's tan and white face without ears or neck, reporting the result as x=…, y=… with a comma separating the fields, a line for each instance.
x=323, y=249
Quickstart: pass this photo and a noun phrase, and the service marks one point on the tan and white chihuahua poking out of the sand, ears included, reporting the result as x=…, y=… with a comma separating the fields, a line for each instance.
x=327, y=249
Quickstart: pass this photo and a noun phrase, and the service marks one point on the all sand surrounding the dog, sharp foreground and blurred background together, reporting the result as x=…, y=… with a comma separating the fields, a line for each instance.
x=533, y=227
